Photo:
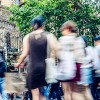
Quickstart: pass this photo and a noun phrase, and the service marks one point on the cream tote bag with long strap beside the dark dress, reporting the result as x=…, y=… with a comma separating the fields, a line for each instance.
x=51, y=67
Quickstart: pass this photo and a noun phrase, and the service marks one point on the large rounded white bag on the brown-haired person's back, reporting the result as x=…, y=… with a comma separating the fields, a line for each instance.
x=66, y=67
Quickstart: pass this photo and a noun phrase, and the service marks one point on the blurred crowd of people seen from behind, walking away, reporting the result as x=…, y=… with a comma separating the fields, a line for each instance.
x=77, y=67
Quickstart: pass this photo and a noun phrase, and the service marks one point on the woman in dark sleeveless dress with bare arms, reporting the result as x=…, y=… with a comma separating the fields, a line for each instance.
x=35, y=45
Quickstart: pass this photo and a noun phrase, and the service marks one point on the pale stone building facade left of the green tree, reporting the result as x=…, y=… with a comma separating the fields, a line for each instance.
x=9, y=34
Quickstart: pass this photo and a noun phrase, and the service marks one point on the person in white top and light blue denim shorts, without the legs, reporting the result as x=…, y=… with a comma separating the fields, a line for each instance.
x=91, y=61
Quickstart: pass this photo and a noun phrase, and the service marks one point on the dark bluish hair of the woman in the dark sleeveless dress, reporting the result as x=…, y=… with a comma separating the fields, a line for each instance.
x=37, y=22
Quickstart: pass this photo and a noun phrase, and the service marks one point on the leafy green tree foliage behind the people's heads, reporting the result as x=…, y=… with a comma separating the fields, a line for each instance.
x=57, y=12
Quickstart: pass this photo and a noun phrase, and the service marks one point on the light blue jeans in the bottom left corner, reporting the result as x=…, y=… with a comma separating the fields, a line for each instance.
x=2, y=92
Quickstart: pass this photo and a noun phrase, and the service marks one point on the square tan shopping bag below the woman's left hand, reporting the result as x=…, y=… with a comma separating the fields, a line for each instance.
x=15, y=82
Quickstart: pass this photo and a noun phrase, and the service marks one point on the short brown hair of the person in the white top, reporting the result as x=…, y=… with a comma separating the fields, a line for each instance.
x=72, y=26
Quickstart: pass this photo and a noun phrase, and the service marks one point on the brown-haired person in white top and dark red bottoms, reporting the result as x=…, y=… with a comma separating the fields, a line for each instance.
x=75, y=47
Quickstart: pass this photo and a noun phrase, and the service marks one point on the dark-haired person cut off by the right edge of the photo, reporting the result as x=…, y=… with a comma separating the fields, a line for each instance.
x=94, y=86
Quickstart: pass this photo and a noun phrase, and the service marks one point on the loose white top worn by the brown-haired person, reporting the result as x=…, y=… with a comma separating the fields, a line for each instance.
x=71, y=43
